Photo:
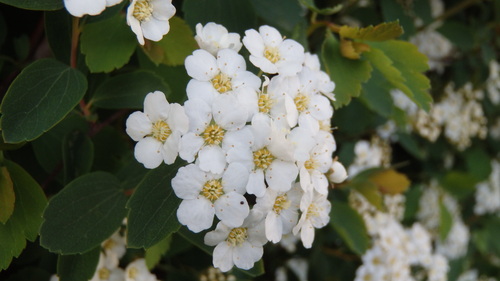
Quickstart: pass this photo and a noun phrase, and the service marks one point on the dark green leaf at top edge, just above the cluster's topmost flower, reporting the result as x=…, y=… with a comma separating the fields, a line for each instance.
x=236, y=16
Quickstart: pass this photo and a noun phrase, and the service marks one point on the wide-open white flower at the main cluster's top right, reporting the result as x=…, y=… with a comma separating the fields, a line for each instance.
x=271, y=53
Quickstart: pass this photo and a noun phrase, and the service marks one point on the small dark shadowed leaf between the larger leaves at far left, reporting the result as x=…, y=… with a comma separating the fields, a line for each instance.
x=78, y=155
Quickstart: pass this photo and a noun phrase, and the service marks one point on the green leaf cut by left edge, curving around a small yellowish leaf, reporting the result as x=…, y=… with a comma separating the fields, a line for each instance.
x=26, y=218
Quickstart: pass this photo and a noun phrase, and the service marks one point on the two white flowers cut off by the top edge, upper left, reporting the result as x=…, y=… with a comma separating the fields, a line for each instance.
x=147, y=18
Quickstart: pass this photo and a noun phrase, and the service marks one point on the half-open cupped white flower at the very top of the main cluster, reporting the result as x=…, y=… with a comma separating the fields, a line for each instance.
x=214, y=37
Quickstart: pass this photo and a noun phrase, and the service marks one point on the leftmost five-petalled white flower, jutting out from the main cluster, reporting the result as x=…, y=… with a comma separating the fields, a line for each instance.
x=157, y=130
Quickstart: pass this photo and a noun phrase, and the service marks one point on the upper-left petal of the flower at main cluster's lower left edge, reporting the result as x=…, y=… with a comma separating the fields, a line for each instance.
x=188, y=182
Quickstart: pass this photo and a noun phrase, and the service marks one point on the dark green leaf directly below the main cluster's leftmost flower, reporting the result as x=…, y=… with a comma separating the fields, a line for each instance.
x=153, y=208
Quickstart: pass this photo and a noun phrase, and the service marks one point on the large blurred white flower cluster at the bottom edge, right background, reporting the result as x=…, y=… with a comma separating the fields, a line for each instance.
x=396, y=250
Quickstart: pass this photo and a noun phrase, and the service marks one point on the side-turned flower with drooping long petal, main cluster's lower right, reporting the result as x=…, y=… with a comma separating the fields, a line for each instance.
x=315, y=210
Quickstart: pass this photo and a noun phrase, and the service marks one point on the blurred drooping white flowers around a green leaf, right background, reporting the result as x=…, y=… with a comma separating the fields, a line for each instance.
x=457, y=240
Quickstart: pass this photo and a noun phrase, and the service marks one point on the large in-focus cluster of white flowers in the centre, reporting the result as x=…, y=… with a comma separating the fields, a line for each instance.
x=244, y=138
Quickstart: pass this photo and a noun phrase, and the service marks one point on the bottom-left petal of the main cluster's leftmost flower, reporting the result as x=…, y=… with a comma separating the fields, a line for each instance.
x=148, y=151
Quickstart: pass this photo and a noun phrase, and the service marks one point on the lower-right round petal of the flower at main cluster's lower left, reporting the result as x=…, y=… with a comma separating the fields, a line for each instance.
x=232, y=209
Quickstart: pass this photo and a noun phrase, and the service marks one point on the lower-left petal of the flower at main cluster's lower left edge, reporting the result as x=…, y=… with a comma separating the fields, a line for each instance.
x=197, y=214
